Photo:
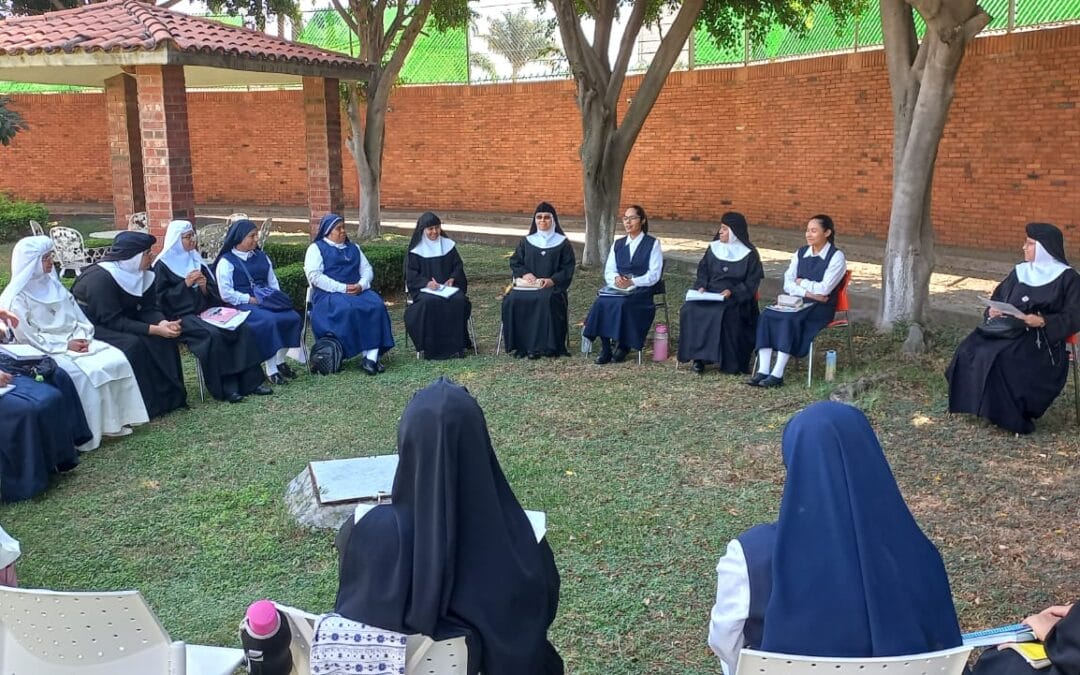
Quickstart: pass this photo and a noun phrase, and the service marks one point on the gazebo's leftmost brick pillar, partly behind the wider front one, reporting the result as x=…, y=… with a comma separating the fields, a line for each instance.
x=126, y=152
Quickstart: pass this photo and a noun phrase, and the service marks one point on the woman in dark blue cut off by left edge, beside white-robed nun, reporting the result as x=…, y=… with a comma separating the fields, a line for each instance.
x=42, y=426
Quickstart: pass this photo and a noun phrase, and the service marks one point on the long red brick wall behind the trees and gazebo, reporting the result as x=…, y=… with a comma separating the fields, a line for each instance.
x=779, y=142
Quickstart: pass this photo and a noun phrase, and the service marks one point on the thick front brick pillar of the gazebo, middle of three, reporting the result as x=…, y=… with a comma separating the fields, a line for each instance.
x=167, y=150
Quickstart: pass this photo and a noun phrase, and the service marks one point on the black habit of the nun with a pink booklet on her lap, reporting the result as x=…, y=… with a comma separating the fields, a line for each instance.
x=229, y=359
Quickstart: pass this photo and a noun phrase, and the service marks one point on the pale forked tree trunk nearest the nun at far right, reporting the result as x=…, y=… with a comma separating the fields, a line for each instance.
x=922, y=79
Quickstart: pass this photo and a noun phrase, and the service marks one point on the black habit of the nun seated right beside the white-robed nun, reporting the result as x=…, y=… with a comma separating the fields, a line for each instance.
x=124, y=321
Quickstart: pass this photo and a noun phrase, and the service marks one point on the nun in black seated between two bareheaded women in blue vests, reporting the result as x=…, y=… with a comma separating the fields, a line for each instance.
x=723, y=332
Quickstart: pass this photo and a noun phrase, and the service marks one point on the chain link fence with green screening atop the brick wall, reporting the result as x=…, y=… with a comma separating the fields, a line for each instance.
x=517, y=42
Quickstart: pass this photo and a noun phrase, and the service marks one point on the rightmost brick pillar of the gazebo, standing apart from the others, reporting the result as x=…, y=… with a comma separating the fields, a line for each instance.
x=322, y=131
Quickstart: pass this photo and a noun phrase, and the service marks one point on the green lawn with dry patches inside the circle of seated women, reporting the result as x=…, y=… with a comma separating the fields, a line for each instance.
x=645, y=474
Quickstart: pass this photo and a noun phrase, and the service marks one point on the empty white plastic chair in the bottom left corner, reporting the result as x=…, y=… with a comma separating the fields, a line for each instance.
x=113, y=633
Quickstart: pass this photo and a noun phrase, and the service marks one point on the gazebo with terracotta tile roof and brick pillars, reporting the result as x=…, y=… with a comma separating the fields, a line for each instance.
x=146, y=58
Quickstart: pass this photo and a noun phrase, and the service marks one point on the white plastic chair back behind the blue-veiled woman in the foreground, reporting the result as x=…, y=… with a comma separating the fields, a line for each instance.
x=946, y=663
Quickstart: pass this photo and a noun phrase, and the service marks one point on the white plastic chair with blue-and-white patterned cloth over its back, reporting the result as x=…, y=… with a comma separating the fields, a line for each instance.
x=423, y=655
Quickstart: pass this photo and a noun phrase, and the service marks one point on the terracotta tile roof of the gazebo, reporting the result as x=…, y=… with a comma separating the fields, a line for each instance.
x=137, y=26
